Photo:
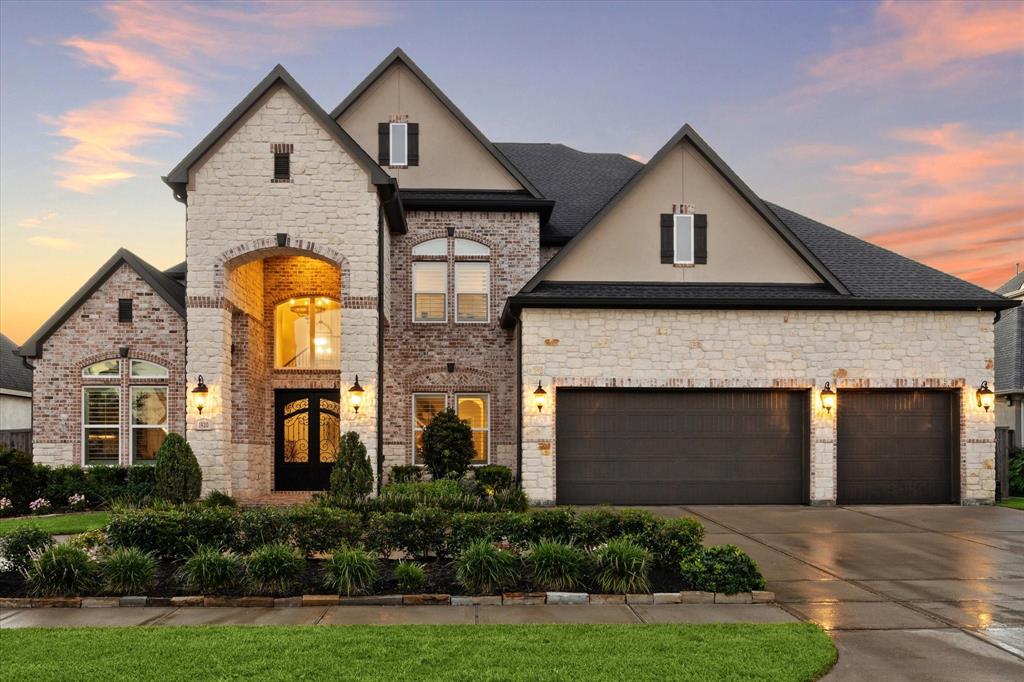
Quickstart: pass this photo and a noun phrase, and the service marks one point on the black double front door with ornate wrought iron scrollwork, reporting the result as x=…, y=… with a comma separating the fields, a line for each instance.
x=308, y=430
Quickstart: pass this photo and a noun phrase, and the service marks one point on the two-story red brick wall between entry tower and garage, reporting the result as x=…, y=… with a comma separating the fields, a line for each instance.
x=416, y=355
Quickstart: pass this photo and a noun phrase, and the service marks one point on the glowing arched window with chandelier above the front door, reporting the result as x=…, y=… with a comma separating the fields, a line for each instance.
x=308, y=334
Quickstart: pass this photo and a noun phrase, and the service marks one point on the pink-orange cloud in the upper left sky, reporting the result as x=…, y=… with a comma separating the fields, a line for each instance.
x=162, y=52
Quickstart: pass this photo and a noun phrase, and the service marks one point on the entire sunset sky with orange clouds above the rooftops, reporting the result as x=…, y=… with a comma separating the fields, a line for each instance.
x=901, y=123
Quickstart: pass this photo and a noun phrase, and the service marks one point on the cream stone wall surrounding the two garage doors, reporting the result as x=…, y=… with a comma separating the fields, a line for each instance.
x=760, y=350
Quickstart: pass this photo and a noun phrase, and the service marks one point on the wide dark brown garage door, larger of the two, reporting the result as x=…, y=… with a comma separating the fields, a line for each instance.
x=636, y=447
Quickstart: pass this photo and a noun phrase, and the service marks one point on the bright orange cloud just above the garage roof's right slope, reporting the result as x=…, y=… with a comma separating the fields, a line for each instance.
x=955, y=202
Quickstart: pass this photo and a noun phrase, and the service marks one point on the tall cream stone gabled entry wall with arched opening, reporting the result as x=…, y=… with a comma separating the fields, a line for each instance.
x=329, y=211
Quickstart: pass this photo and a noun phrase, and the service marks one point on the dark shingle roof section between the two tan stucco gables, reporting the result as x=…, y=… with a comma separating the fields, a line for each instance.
x=580, y=183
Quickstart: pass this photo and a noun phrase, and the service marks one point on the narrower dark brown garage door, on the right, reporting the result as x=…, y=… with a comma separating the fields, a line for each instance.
x=897, y=447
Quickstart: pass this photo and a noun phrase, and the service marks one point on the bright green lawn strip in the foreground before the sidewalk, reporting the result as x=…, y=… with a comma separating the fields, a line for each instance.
x=698, y=653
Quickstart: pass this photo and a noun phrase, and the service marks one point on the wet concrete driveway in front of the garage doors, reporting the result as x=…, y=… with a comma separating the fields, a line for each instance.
x=908, y=593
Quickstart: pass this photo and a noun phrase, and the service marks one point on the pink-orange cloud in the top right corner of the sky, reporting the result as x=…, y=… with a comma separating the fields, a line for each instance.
x=941, y=41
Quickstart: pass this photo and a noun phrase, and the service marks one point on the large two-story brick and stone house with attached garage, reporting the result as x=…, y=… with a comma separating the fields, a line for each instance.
x=679, y=329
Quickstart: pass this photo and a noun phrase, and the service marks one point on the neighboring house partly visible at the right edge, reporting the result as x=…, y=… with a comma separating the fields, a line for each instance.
x=1010, y=363
